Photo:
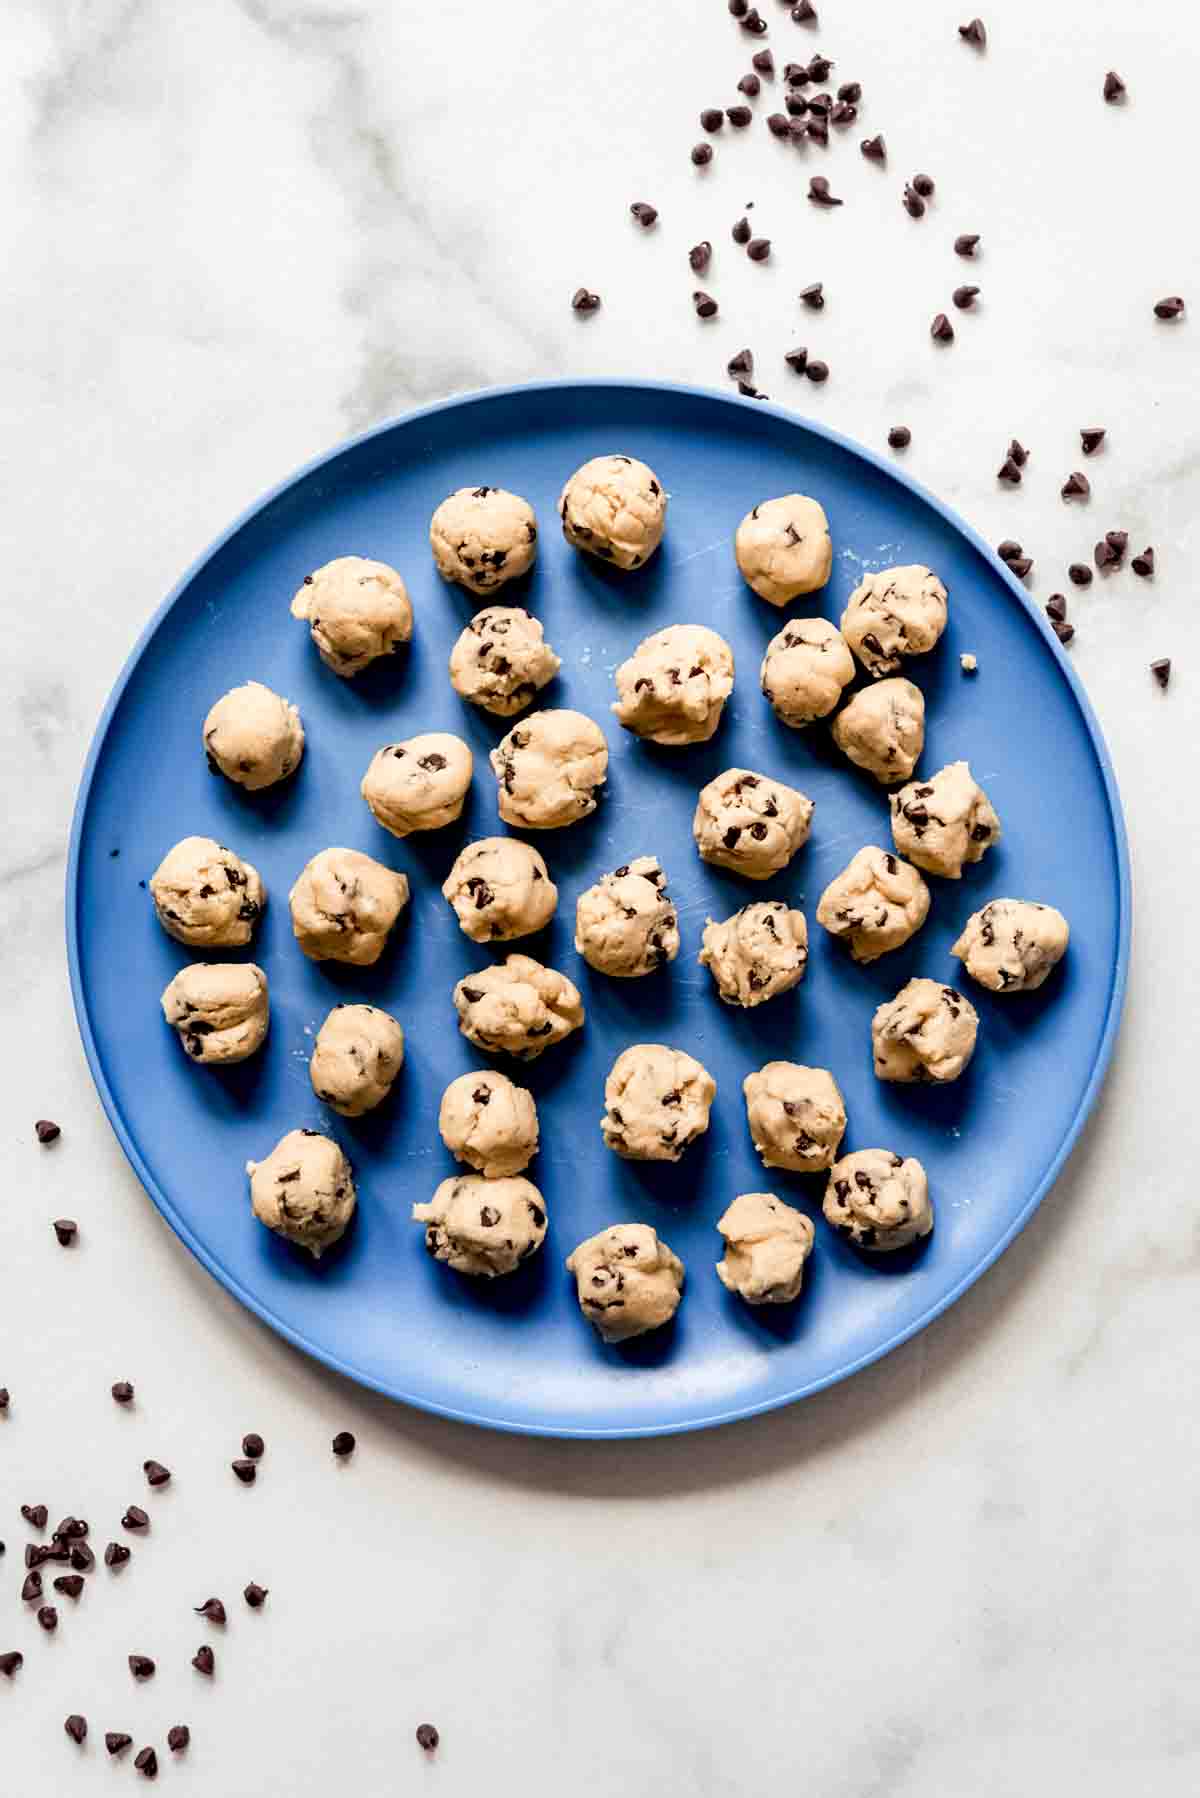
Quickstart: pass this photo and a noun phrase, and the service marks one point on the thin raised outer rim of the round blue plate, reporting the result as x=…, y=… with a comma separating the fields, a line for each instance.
x=726, y=1414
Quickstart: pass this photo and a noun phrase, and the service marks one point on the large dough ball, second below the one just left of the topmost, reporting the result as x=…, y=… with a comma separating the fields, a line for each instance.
x=550, y=767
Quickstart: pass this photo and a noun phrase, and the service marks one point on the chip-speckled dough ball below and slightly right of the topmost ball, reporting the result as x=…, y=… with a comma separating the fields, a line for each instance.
x=676, y=686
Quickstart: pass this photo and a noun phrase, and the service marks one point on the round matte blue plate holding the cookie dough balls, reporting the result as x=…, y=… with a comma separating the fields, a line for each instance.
x=517, y=1353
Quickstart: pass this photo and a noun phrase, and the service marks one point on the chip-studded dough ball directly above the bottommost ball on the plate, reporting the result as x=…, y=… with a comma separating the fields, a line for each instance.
x=656, y=1103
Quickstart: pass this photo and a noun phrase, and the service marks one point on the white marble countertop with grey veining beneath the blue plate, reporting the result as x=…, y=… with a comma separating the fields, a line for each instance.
x=235, y=233
